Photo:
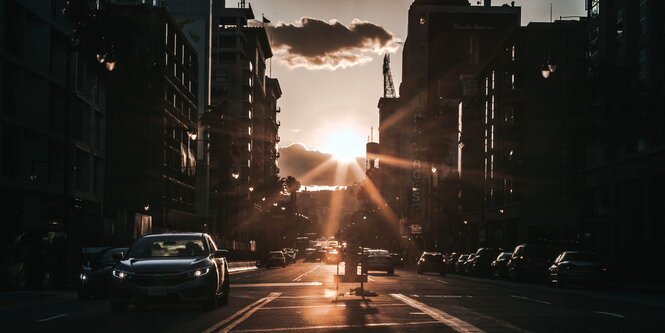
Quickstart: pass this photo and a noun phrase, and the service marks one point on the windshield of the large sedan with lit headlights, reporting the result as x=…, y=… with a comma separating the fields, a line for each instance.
x=168, y=246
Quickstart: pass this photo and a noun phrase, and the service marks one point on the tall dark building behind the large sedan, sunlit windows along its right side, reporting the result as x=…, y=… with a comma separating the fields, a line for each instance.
x=151, y=157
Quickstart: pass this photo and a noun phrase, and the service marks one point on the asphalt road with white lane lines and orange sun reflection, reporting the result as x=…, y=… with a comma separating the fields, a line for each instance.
x=303, y=298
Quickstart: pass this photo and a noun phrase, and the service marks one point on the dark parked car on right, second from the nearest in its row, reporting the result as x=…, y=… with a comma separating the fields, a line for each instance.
x=530, y=261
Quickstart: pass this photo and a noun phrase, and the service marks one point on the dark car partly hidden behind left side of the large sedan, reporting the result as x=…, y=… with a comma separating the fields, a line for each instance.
x=96, y=269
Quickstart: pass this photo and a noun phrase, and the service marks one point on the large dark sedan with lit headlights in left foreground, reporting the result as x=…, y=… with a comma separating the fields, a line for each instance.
x=182, y=267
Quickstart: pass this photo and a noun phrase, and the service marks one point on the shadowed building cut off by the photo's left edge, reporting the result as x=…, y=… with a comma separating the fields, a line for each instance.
x=52, y=144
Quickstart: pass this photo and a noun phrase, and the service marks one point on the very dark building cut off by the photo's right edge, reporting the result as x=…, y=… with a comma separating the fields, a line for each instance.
x=625, y=160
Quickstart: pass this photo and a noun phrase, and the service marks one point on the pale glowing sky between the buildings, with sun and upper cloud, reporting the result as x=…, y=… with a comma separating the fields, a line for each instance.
x=328, y=59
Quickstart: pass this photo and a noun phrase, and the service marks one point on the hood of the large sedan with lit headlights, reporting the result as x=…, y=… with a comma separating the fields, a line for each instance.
x=162, y=265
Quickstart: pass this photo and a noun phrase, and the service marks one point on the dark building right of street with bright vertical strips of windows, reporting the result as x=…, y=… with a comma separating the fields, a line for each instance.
x=520, y=135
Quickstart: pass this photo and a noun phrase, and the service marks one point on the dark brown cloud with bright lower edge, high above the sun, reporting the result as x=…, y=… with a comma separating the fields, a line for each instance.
x=316, y=44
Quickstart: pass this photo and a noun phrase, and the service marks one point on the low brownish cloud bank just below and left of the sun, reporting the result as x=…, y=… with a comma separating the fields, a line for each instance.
x=296, y=160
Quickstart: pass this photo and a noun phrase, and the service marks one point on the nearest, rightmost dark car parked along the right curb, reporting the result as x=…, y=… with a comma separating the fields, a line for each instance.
x=577, y=267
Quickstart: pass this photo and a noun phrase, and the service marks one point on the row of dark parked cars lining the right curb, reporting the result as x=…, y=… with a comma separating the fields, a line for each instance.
x=530, y=262
